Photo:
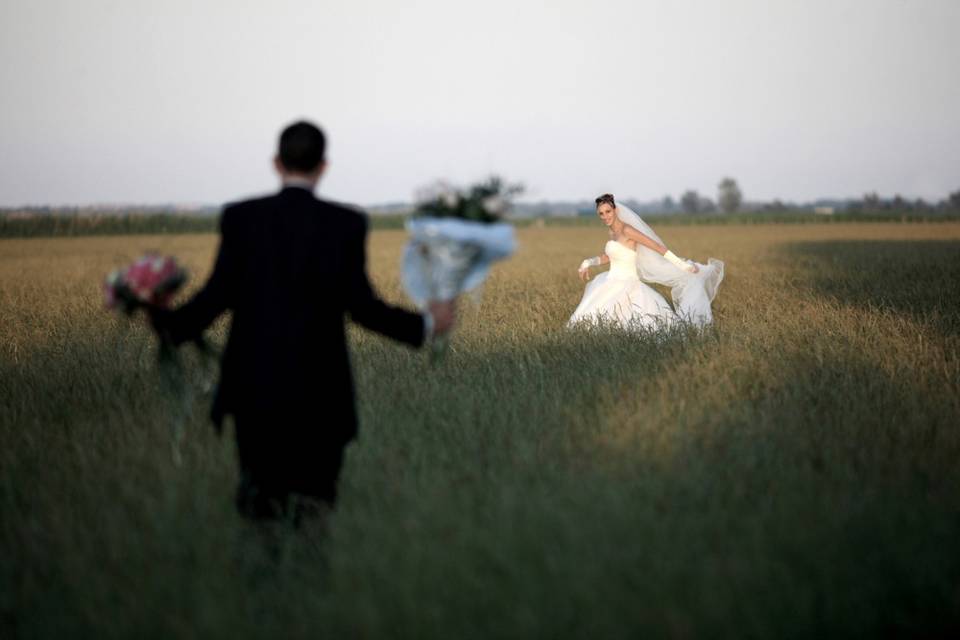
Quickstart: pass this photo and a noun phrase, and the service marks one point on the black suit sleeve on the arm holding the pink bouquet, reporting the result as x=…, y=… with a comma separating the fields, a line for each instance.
x=189, y=321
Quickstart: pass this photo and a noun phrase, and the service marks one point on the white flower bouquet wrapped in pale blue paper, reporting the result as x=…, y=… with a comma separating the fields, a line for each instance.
x=455, y=237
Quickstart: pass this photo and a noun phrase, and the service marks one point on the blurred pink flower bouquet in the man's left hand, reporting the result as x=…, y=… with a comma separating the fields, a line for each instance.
x=152, y=280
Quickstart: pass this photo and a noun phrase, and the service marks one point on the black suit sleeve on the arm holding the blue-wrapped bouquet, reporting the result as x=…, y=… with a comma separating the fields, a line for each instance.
x=366, y=308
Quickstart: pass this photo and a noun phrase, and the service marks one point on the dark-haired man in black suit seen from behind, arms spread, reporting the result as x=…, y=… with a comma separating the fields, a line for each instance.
x=290, y=267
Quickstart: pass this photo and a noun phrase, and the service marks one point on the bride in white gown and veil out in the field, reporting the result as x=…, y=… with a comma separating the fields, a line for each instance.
x=636, y=254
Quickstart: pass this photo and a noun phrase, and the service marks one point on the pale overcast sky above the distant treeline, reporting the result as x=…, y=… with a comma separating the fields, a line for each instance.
x=181, y=101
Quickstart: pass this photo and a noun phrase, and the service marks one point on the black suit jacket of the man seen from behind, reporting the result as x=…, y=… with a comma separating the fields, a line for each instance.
x=290, y=267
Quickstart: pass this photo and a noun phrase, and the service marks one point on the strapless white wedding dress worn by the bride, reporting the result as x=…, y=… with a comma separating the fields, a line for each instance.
x=618, y=296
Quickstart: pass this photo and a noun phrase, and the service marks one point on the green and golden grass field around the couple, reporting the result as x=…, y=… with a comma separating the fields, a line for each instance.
x=792, y=473
